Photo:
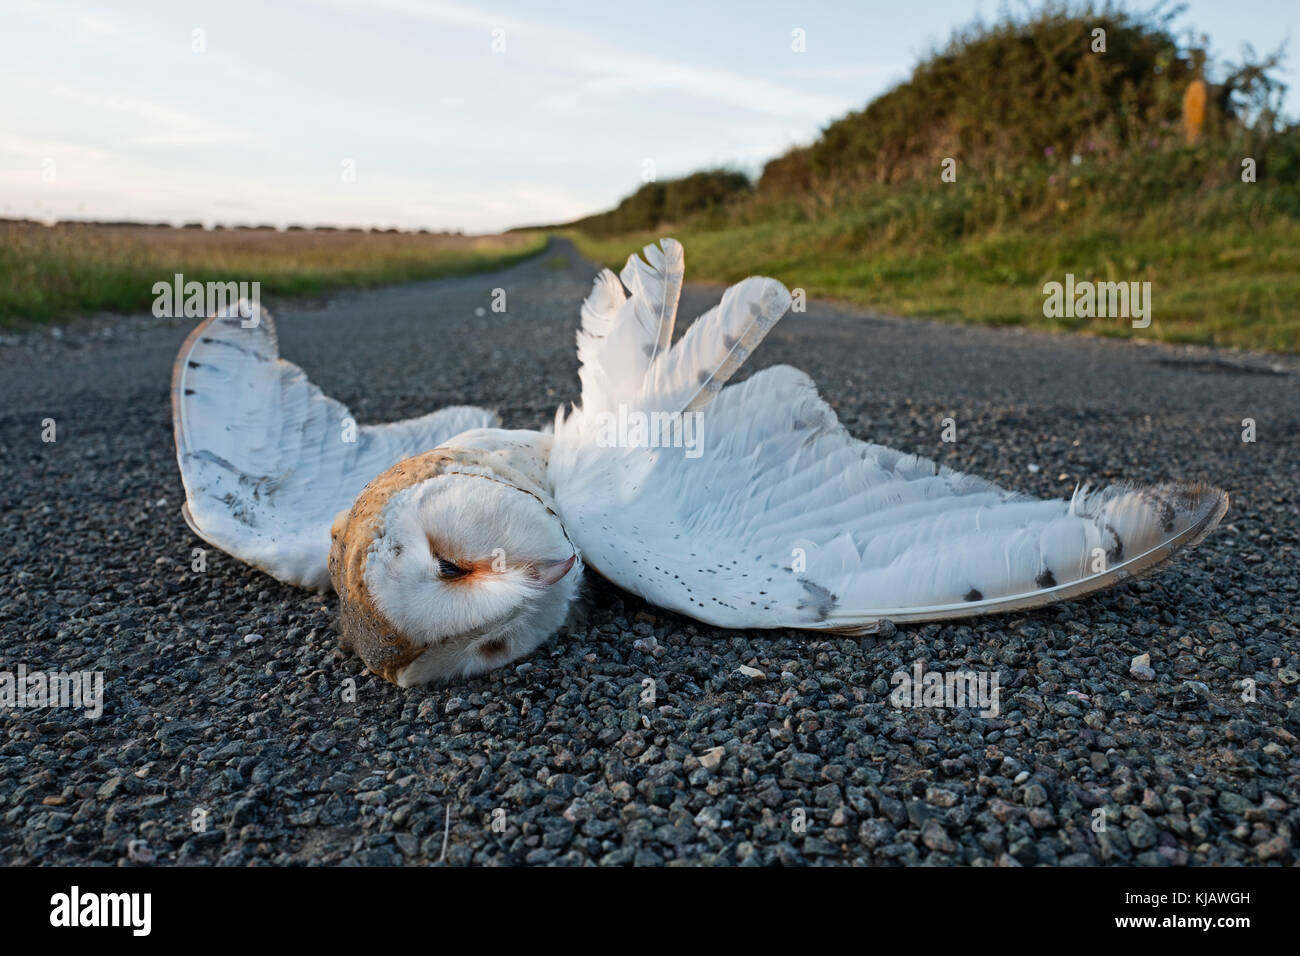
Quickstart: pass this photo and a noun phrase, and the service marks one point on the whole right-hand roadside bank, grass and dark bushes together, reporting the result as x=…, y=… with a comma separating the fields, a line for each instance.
x=1073, y=140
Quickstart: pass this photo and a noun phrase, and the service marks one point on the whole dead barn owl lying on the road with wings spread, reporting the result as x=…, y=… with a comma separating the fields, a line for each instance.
x=457, y=546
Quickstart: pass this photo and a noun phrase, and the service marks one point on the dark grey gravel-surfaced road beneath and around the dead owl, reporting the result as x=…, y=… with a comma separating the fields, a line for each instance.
x=229, y=737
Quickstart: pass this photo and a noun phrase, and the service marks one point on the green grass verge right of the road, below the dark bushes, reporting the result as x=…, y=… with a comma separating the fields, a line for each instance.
x=1224, y=266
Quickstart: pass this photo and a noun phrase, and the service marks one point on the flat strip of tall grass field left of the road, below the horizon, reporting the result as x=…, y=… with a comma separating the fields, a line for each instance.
x=47, y=272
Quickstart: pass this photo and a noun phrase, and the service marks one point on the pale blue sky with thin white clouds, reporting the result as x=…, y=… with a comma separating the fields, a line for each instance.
x=419, y=114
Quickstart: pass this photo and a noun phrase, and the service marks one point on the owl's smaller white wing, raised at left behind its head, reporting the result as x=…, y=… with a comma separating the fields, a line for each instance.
x=267, y=458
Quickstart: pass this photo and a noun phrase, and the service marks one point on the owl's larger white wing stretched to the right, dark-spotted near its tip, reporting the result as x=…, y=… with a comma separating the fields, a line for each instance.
x=770, y=514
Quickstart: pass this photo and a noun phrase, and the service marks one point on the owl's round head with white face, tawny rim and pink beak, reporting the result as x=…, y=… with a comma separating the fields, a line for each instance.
x=448, y=565
